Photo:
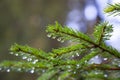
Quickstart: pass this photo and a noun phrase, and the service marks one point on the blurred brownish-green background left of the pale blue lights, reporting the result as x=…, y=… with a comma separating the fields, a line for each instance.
x=24, y=22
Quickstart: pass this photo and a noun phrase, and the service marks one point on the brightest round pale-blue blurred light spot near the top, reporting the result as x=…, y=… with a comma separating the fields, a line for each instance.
x=90, y=12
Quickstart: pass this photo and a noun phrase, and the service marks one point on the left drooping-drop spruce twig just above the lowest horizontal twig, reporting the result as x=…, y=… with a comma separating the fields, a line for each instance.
x=16, y=49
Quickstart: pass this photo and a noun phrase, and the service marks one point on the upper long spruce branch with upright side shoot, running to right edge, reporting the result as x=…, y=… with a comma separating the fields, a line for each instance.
x=102, y=34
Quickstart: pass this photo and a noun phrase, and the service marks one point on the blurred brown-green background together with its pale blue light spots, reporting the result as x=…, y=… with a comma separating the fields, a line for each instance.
x=25, y=21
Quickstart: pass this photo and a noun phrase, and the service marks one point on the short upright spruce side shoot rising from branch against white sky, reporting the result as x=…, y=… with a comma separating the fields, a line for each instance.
x=102, y=32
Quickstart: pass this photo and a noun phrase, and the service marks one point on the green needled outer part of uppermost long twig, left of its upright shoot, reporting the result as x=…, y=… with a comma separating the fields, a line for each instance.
x=66, y=33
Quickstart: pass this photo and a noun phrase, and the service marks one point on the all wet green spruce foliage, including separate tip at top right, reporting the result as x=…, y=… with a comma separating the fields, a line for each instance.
x=72, y=62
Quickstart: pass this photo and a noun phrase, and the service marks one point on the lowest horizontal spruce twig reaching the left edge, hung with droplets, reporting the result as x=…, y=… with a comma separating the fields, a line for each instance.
x=23, y=66
